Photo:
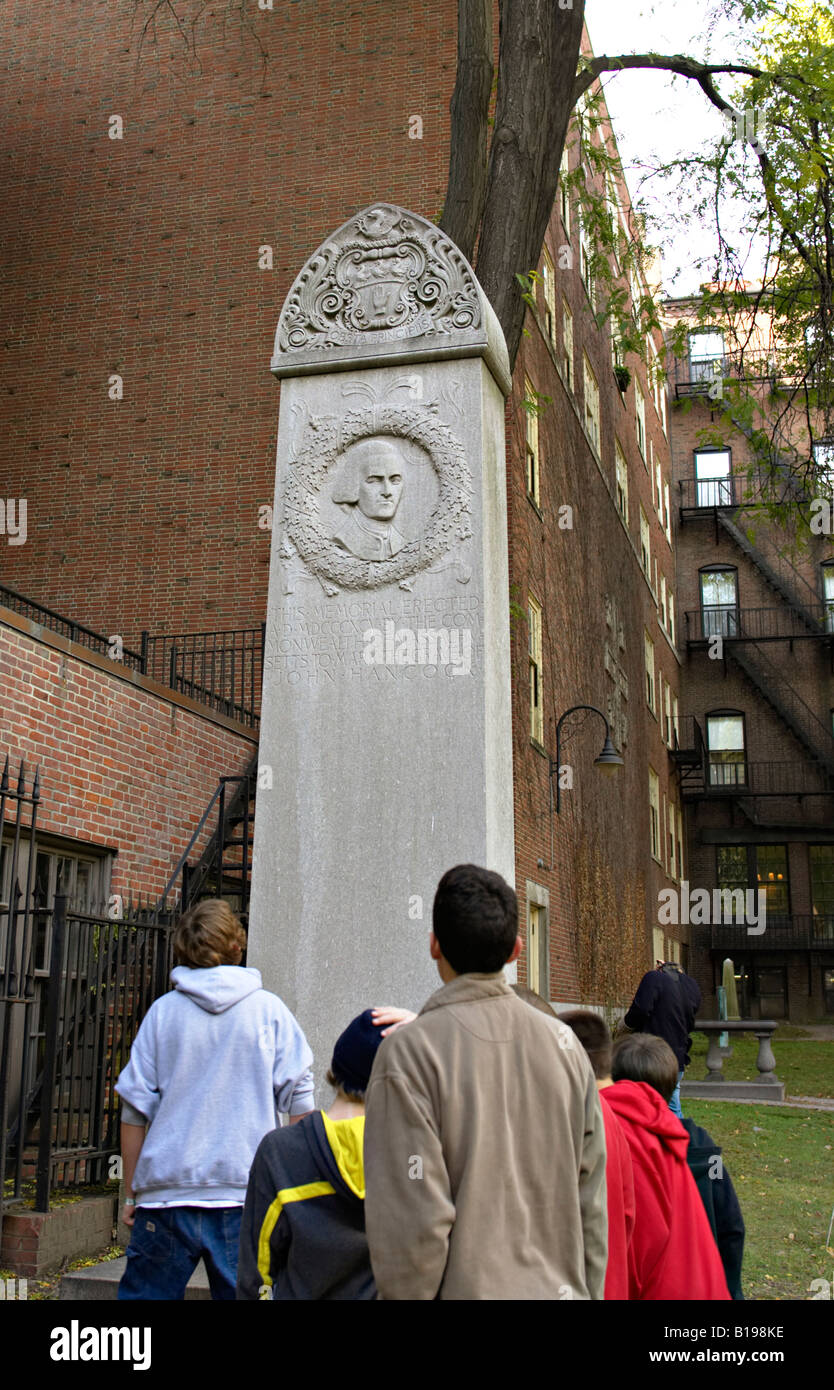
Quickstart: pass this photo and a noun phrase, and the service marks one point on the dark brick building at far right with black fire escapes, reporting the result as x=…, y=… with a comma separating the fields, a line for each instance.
x=757, y=753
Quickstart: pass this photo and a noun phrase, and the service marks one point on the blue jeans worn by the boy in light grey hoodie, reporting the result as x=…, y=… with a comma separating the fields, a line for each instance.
x=167, y=1243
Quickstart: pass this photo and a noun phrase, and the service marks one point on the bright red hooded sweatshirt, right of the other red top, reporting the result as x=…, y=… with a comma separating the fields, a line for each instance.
x=673, y=1253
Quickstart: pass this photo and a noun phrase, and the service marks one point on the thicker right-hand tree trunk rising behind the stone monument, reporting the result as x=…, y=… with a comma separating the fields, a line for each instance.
x=539, y=56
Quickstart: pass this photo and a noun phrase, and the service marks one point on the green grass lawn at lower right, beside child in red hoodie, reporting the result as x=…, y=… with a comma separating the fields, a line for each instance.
x=782, y=1164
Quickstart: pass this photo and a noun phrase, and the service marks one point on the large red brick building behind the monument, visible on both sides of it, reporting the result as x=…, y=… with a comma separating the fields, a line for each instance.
x=156, y=219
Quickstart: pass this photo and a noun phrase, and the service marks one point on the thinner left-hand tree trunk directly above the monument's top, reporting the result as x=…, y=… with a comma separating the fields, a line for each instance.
x=471, y=112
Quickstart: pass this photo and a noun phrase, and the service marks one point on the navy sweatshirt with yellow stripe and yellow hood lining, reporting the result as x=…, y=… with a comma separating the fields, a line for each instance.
x=302, y=1235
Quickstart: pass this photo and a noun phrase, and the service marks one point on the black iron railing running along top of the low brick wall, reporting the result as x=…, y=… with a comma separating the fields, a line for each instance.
x=222, y=671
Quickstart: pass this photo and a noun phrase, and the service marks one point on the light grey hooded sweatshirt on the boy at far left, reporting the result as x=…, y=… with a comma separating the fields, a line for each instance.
x=211, y=1064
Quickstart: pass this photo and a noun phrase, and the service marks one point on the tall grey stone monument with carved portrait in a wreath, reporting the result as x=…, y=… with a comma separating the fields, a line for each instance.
x=386, y=721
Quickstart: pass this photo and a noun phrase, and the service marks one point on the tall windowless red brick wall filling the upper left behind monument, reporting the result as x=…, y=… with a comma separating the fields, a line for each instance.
x=140, y=258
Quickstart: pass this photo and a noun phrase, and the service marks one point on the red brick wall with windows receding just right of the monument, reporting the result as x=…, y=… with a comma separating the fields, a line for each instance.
x=571, y=572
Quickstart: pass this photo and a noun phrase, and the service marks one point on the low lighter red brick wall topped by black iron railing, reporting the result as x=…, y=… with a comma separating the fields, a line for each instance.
x=122, y=768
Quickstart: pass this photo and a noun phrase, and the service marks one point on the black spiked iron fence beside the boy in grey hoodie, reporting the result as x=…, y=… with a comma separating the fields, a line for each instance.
x=74, y=989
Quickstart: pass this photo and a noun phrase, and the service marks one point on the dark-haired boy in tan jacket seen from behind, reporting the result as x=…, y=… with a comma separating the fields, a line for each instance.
x=484, y=1138
